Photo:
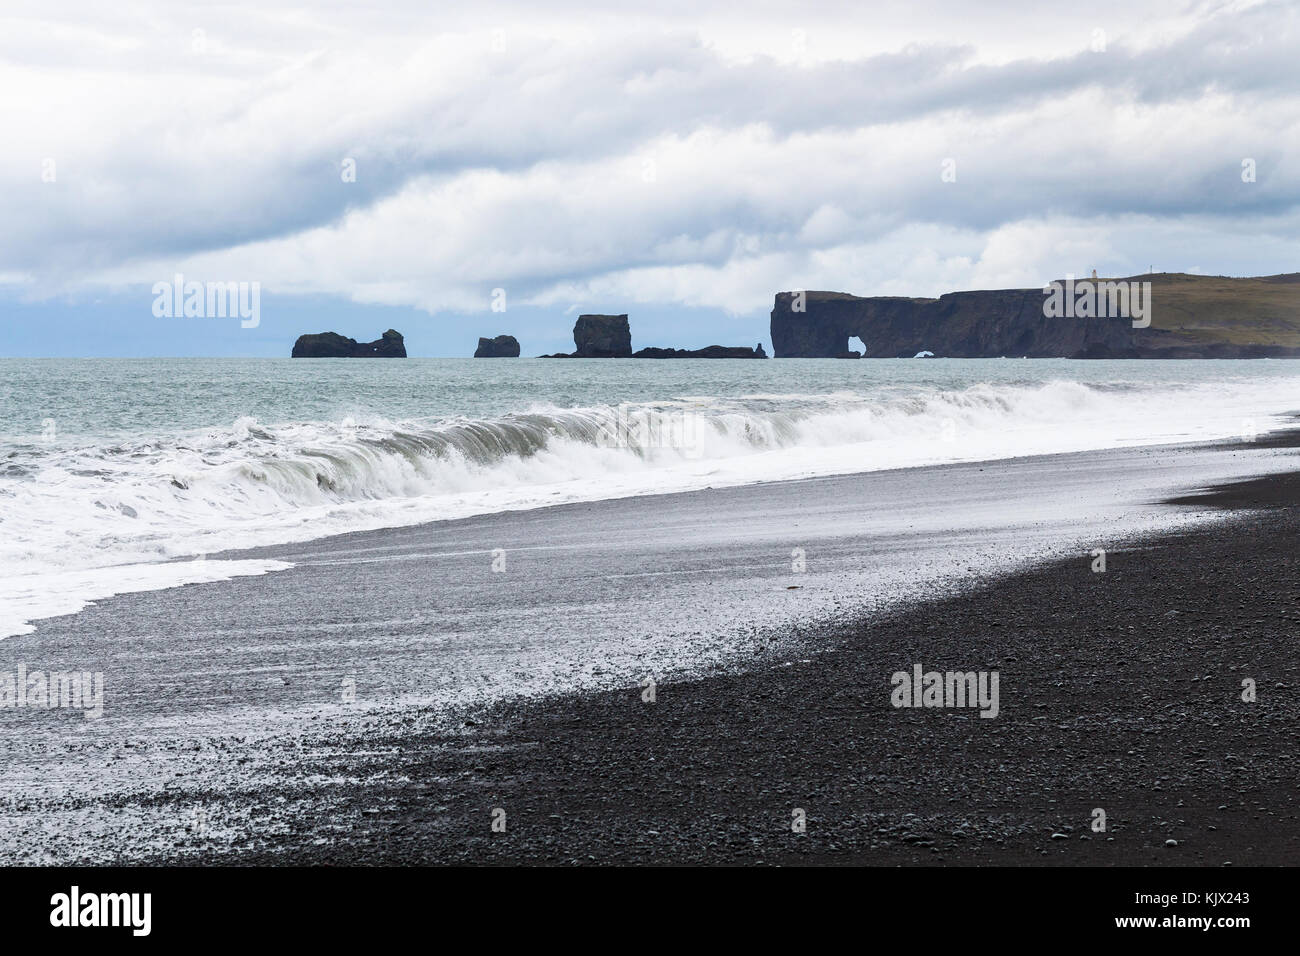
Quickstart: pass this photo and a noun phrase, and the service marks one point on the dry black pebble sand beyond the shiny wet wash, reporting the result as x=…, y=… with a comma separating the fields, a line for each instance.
x=1121, y=691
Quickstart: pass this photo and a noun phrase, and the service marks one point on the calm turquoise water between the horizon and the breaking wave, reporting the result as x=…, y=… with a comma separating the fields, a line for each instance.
x=138, y=397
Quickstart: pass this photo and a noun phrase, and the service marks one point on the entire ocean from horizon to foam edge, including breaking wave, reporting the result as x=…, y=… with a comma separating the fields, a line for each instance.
x=122, y=475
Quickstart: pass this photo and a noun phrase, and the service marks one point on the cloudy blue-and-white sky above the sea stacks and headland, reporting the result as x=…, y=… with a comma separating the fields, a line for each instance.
x=682, y=165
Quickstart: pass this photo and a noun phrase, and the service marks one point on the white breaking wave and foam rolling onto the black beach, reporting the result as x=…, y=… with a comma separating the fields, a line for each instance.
x=86, y=522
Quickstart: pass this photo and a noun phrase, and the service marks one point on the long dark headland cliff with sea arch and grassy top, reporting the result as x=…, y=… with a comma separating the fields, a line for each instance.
x=1191, y=317
